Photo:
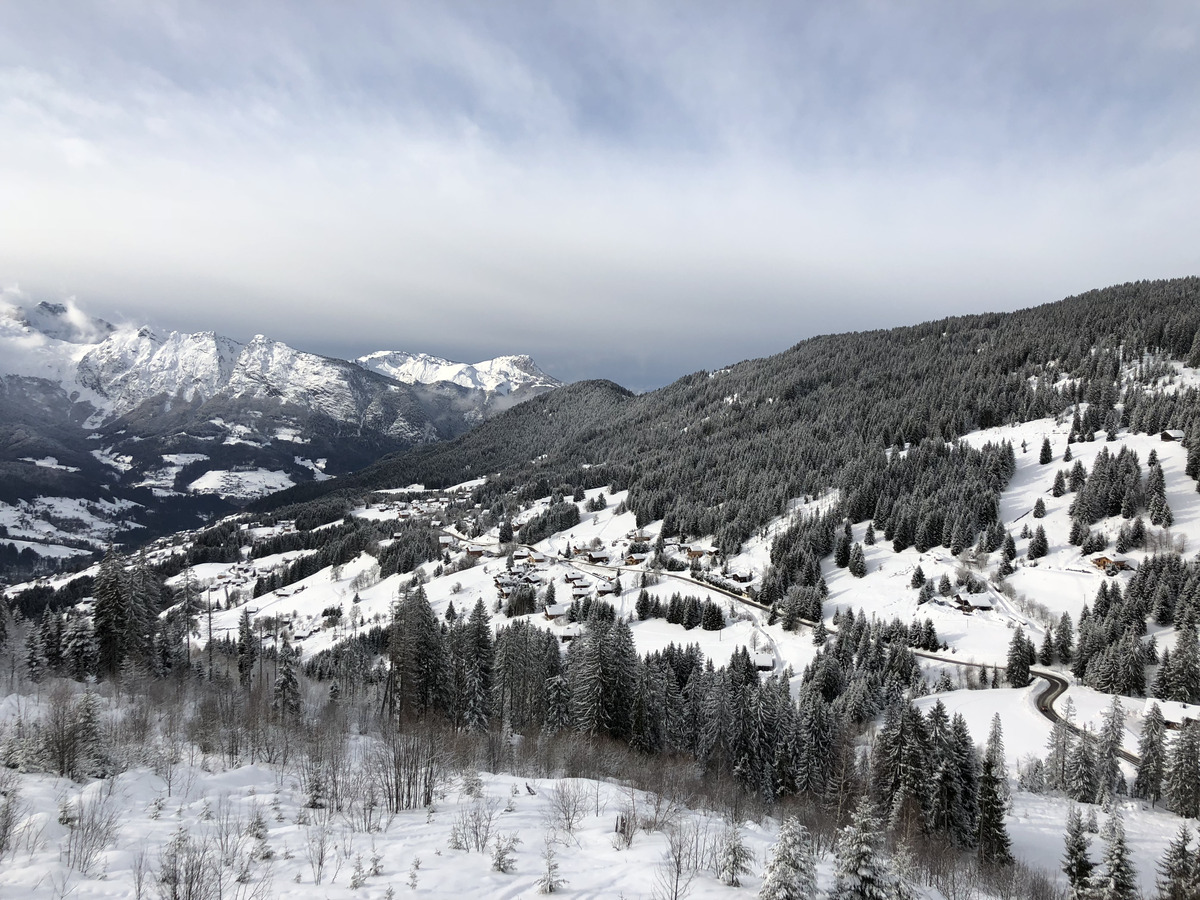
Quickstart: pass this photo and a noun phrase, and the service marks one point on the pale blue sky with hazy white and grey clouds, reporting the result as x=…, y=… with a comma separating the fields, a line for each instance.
x=622, y=190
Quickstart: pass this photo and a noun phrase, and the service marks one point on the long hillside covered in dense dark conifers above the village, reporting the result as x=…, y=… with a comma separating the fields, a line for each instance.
x=722, y=453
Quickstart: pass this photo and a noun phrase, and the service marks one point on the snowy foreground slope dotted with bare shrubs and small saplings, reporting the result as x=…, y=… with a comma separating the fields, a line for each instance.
x=218, y=806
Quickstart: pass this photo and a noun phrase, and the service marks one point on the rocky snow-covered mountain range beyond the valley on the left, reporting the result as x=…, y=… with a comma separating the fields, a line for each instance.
x=143, y=416
